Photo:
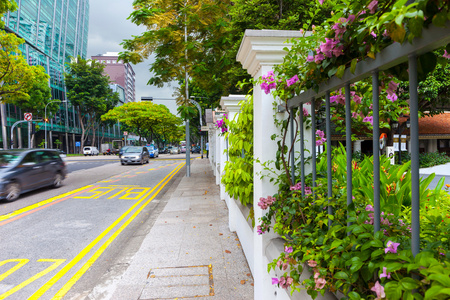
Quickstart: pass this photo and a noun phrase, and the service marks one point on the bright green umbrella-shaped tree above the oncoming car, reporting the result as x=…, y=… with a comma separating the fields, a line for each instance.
x=144, y=118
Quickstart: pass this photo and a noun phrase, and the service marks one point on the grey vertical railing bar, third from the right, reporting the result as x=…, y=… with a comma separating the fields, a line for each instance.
x=348, y=141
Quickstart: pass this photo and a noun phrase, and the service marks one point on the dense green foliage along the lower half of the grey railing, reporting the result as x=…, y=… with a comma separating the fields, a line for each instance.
x=351, y=258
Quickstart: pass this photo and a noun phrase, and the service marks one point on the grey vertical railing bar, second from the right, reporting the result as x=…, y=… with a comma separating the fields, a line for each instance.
x=376, y=152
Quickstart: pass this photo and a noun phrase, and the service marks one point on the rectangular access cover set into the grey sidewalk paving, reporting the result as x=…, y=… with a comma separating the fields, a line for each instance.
x=179, y=282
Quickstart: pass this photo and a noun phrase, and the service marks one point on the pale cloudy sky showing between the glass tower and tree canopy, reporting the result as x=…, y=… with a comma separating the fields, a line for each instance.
x=108, y=27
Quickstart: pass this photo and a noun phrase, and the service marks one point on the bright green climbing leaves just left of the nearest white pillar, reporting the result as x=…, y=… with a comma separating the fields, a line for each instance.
x=238, y=171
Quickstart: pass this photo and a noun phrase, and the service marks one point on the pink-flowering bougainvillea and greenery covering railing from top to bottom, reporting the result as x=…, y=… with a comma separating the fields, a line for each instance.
x=352, y=259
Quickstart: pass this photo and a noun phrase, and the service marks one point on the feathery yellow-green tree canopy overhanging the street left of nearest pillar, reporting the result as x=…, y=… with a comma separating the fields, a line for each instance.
x=166, y=21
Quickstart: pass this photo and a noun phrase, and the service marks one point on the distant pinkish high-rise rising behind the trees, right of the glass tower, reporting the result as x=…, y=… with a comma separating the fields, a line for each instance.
x=119, y=72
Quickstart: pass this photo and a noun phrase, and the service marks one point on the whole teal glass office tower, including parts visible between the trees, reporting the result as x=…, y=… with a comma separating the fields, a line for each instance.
x=54, y=31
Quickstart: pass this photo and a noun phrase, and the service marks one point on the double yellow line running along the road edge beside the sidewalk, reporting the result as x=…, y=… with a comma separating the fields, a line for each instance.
x=63, y=291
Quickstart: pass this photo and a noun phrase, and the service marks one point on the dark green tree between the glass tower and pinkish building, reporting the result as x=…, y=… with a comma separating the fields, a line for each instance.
x=89, y=92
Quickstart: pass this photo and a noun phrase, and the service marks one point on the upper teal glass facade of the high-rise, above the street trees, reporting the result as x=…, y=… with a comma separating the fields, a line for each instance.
x=53, y=30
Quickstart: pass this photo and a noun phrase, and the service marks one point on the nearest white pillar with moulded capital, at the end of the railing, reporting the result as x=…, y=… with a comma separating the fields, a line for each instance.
x=260, y=50
